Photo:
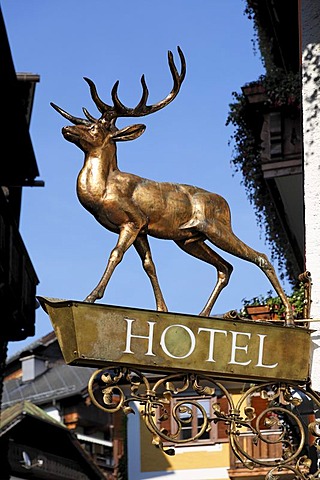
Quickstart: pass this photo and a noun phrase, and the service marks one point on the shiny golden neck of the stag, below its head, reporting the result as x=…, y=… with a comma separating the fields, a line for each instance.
x=93, y=178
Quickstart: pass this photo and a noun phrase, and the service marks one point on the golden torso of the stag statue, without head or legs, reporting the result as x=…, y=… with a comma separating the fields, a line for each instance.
x=148, y=204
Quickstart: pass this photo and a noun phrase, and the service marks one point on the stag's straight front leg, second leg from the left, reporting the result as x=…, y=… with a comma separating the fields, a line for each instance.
x=142, y=246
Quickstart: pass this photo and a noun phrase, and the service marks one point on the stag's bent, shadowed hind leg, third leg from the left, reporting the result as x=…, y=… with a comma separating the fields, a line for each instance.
x=200, y=250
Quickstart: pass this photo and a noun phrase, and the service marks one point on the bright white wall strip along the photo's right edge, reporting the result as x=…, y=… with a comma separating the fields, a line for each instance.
x=310, y=30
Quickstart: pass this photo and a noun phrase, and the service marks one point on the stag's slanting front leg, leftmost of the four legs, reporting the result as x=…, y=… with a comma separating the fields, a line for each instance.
x=127, y=236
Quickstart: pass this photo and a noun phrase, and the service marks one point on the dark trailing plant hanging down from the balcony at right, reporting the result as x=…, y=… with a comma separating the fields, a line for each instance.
x=282, y=91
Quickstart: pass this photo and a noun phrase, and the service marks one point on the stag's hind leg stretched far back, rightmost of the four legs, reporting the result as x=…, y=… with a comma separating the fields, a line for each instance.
x=224, y=238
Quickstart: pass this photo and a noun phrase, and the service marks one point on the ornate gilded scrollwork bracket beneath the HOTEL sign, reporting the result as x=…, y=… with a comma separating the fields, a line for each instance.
x=282, y=424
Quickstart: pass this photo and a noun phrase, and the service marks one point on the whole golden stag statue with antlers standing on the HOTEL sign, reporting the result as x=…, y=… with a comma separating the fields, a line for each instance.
x=135, y=207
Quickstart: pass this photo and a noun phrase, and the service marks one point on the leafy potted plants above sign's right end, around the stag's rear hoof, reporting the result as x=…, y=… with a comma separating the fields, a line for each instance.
x=296, y=299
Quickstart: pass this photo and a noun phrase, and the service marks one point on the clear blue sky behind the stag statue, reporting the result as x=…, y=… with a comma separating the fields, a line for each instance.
x=187, y=142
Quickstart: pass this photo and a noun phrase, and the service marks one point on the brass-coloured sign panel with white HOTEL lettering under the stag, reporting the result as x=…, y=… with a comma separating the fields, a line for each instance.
x=103, y=335
